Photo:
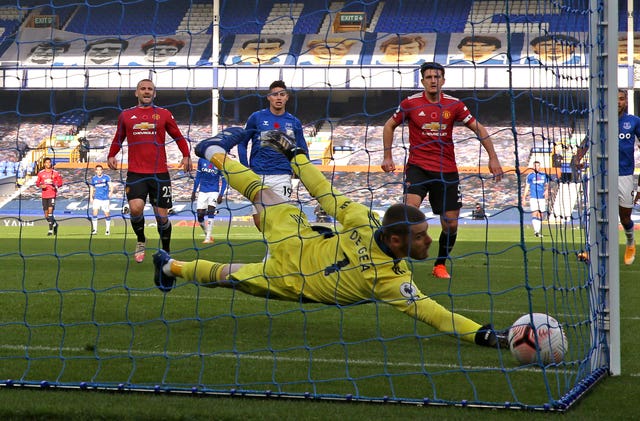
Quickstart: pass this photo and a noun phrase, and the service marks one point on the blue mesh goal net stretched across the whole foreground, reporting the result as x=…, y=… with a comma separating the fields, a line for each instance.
x=539, y=75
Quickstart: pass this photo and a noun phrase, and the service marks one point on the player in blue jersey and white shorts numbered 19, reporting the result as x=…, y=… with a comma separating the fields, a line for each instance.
x=272, y=167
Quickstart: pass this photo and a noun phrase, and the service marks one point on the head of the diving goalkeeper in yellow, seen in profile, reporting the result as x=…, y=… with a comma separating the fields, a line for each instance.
x=404, y=231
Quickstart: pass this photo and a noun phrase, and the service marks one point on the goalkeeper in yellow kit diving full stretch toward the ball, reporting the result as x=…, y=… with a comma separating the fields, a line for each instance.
x=363, y=262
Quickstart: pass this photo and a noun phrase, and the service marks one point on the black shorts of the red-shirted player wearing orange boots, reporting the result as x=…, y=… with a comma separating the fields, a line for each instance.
x=443, y=188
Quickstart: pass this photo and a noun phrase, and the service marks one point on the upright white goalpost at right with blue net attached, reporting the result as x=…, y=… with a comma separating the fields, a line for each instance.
x=603, y=188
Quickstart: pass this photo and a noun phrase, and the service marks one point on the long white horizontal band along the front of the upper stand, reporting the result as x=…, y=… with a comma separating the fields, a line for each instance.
x=208, y=77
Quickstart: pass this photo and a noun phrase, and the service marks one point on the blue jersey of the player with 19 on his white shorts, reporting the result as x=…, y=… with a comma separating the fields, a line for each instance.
x=266, y=161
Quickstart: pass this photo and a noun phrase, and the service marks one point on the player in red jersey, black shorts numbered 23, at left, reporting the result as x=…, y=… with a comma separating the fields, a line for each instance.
x=145, y=127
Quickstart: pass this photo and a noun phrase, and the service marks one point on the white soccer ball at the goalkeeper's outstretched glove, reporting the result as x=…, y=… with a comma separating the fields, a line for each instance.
x=537, y=337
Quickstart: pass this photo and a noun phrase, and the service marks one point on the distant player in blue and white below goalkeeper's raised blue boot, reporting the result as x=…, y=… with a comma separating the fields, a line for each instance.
x=210, y=188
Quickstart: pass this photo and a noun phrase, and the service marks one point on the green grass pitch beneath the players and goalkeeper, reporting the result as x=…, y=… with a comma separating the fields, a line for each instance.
x=88, y=313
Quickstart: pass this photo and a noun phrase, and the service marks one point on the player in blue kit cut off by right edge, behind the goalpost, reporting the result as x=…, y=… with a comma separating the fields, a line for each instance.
x=628, y=135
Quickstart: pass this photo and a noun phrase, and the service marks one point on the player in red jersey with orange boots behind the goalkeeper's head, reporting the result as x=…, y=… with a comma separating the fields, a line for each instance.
x=431, y=167
